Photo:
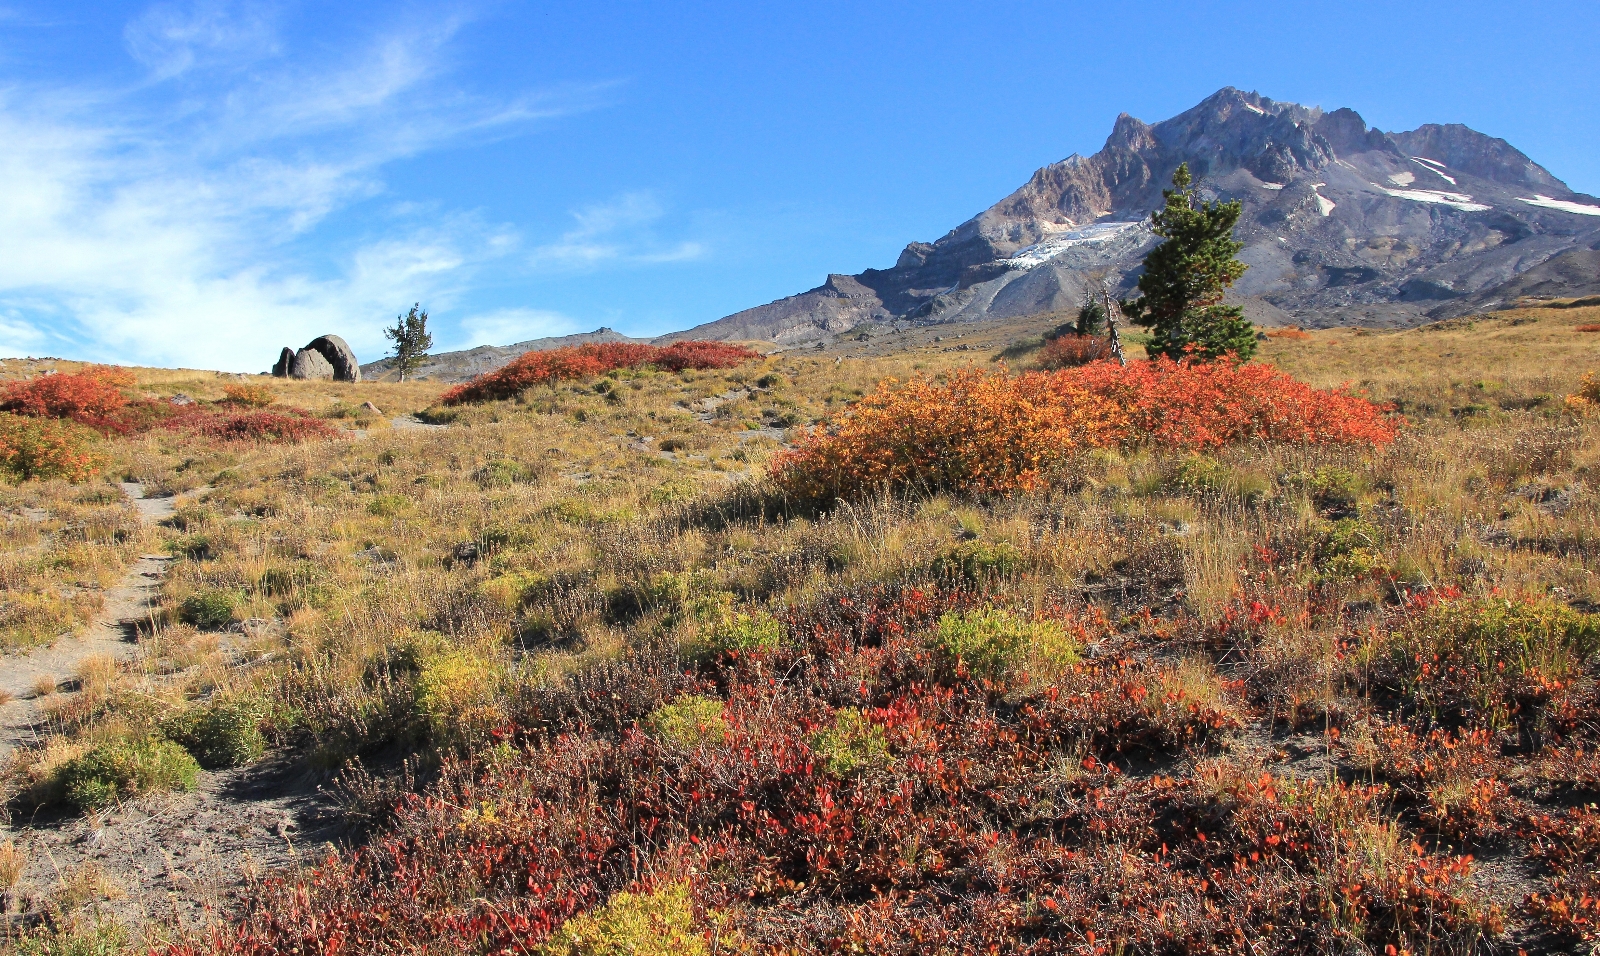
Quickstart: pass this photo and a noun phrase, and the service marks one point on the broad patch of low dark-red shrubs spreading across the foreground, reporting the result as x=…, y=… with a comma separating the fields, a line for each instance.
x=970, y=818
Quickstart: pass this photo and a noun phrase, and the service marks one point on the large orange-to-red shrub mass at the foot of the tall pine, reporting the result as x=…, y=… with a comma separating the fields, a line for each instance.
x=994, y=432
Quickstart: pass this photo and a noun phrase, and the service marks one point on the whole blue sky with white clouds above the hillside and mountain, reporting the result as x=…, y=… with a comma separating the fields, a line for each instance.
x=201, y=183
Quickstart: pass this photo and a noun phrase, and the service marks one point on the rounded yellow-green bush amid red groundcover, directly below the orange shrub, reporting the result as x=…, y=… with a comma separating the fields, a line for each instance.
x=998, y=645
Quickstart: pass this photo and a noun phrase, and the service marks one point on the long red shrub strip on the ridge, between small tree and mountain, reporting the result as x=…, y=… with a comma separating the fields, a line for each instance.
x=582, y=362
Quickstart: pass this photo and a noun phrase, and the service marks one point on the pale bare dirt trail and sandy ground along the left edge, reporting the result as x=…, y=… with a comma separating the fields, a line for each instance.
x=170, y=859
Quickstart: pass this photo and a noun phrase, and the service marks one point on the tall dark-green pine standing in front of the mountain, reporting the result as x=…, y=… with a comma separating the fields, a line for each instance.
x=1186, y=276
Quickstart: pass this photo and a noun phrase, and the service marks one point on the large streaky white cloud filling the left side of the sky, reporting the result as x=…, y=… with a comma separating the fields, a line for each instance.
x=175, y=223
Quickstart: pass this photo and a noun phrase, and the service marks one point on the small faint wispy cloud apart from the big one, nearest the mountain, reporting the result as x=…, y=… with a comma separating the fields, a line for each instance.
x=622, y=231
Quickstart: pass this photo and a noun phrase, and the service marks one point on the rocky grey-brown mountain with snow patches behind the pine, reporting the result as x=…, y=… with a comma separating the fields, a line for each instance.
x=1342, y=225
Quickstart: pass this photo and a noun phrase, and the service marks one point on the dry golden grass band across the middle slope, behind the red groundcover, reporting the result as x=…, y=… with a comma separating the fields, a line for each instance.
x=532, y=540
